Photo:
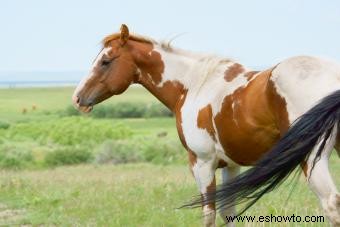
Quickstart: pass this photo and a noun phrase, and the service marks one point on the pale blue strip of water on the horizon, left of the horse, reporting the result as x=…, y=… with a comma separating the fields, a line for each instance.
x=40, y=79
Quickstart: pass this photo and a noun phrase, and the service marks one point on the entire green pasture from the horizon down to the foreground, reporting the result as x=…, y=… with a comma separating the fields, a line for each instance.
x=39, y=186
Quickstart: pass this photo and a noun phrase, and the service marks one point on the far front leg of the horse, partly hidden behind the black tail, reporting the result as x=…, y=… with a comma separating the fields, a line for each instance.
x=228, y=173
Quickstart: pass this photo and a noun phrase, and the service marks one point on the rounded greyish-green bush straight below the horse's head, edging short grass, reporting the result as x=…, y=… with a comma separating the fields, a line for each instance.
x=116, y=152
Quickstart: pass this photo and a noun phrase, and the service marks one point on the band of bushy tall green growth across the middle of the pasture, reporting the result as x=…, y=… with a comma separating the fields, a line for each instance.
x=74, y=140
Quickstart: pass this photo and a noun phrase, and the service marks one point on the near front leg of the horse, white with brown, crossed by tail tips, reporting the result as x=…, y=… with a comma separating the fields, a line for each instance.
x=204, y=173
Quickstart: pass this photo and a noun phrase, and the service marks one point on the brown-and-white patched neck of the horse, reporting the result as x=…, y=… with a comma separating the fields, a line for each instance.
x=166, y=75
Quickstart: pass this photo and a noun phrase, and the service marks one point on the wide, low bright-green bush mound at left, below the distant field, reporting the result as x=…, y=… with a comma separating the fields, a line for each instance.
x=69, y=131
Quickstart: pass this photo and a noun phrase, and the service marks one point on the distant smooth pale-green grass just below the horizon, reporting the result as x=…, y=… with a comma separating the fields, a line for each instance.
x=49, y=100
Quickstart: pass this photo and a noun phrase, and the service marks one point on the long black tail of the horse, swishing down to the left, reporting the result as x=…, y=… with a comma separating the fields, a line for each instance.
x=313, y=127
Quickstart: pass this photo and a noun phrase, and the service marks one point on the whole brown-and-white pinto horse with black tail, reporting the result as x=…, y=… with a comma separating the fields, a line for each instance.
x=229, y=116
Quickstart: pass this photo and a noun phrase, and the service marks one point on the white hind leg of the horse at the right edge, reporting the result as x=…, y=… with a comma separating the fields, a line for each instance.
x=321, y=182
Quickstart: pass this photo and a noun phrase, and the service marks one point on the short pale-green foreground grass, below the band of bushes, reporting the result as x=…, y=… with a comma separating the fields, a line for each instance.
x=128, y=195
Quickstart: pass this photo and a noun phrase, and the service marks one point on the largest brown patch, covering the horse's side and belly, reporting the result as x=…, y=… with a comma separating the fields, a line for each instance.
x=249, y=122
